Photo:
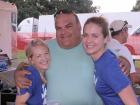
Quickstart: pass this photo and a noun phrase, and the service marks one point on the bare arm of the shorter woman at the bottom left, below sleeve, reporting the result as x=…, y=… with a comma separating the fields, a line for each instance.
x=22, y=99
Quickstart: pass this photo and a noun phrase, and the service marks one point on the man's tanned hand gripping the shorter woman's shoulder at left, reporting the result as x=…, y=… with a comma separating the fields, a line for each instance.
x=19, y=76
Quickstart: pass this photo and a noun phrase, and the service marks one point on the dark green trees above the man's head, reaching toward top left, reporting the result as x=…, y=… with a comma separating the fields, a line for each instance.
x=34, y=8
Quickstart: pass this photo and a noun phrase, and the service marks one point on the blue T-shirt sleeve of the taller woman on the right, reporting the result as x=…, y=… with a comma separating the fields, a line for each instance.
x=114, y=76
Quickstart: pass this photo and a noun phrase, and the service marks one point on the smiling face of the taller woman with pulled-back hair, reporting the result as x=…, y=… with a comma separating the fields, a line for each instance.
x=93, y=40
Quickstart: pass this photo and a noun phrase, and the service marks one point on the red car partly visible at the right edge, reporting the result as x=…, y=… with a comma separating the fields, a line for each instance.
x=134, y=40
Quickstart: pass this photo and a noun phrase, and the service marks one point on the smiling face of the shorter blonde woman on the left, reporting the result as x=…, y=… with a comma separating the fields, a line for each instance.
x=40, y=58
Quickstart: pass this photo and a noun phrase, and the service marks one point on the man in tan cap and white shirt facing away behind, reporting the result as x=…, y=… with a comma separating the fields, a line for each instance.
x=119, y=36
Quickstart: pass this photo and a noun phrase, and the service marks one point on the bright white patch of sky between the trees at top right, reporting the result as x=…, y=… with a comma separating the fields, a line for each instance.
x=115, y=5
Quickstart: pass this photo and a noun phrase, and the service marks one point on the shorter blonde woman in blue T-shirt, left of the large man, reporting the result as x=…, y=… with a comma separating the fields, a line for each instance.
x=38, y=56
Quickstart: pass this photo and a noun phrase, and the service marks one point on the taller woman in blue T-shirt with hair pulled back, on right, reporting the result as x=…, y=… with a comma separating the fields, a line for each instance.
x=111, y=84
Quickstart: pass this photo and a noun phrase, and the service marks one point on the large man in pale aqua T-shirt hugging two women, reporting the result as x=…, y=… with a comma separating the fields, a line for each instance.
x=70, y=76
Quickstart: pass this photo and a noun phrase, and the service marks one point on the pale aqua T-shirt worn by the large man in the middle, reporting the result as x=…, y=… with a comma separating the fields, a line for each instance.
x=70, y=76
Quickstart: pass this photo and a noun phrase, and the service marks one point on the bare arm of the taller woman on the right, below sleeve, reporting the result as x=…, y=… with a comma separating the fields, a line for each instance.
x=128, y=96
